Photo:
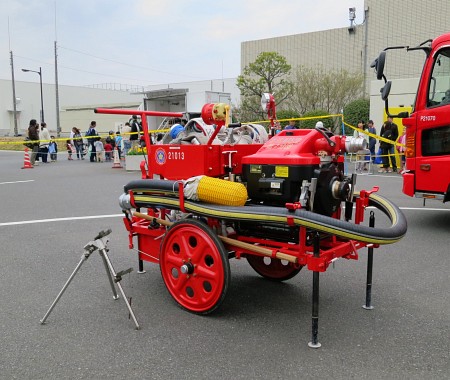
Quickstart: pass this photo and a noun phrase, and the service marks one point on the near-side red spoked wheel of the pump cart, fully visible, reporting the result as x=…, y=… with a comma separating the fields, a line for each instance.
x=194, y=266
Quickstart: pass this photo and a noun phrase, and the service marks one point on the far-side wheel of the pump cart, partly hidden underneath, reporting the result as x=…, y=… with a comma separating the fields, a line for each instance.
x=273, y=269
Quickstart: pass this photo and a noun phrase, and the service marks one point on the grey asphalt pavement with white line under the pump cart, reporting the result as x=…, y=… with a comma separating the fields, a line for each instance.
x=261, y=331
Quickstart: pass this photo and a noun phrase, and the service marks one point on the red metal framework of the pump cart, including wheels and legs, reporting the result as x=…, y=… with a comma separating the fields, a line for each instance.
x=193, y=256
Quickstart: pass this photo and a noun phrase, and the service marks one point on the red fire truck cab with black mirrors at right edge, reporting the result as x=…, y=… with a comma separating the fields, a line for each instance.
x=427, y=152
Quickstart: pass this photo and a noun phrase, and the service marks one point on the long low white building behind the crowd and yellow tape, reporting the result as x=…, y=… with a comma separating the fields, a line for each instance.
x=77, y=104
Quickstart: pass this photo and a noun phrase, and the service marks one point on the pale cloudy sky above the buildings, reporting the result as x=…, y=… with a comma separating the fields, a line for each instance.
x=145, y=42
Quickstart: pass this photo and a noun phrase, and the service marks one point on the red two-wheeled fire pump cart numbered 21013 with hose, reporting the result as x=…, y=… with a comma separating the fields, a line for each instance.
x=281, y=203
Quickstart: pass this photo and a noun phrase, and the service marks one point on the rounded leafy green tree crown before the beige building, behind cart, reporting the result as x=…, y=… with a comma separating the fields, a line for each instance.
x=268, y=73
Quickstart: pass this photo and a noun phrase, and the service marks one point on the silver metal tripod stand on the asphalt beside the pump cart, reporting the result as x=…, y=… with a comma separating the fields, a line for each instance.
x=99, y=242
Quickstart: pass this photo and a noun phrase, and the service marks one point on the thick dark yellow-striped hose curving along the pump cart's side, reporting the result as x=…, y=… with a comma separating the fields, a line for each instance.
x=151, y=193
